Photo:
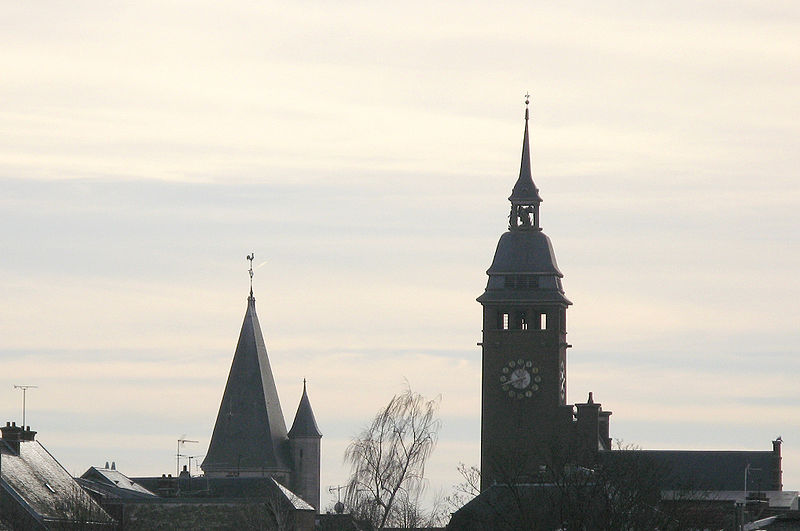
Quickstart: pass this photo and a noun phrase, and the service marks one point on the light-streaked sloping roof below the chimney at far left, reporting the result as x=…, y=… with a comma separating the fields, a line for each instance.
x=42, y=487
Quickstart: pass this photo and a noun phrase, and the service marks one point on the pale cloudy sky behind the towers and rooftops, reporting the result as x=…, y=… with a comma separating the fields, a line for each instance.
x=364, y=152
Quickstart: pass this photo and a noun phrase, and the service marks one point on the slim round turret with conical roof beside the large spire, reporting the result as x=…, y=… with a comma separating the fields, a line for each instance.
x=305, y=446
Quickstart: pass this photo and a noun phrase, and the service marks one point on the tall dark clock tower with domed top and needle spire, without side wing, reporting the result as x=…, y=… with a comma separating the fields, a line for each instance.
x=525, y=421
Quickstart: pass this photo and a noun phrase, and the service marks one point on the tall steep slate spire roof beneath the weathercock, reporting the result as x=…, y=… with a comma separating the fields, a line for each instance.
x=250, y=432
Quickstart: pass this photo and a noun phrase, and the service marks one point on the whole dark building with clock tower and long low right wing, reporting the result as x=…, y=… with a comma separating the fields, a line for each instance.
x=540, y=454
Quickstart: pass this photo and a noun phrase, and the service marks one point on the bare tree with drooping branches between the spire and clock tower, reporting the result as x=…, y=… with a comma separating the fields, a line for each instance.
x=388, y=459
